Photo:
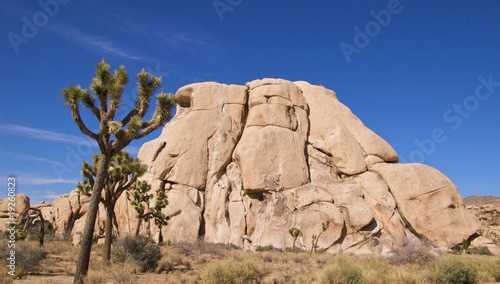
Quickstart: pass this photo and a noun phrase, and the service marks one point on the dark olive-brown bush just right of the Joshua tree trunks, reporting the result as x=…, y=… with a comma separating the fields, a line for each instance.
x=139, y=249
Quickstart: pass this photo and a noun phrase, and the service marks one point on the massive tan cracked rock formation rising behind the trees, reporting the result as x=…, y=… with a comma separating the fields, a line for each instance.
x=246, y=163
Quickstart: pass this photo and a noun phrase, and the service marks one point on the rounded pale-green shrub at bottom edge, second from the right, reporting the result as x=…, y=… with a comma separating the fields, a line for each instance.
x=344, y=272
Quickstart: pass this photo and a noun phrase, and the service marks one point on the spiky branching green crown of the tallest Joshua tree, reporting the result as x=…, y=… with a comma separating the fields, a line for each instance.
x=103, y=99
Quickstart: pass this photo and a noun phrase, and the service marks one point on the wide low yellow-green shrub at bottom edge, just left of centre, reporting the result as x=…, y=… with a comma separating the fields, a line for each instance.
x=229, y=271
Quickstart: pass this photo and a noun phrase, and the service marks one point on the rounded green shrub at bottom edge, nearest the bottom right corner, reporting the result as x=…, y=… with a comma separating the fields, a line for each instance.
x=452, y=270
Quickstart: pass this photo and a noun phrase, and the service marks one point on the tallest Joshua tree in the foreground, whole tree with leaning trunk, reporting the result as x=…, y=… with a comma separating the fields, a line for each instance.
x=103, y=99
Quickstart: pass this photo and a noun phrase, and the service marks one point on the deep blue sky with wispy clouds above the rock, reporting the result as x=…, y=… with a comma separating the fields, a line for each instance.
x=424, y=75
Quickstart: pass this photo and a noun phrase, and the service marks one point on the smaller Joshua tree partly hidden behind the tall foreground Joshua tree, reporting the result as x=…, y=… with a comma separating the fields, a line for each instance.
x=122, y=175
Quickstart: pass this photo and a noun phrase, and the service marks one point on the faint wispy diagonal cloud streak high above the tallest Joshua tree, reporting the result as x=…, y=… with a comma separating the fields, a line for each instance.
x=91, y=41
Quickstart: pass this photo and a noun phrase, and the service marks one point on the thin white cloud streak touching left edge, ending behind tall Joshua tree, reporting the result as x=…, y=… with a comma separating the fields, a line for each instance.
x=41, y=134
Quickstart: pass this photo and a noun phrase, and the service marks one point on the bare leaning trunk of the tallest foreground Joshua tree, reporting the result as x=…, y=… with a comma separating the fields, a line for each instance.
x=82, y=265
